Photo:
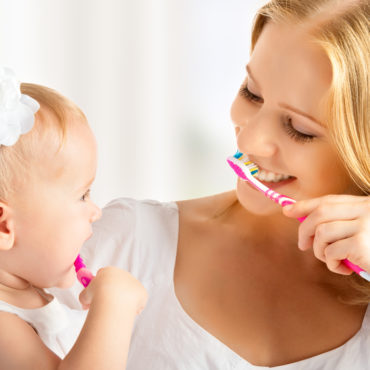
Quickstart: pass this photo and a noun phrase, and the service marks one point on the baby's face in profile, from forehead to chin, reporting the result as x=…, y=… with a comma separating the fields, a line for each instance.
x=54, y=213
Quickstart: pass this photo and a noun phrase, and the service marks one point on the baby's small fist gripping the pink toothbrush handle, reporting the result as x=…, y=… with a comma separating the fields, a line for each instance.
x=113, y=285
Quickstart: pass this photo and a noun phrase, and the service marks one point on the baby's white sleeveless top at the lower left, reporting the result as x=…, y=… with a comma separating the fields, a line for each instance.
x=57, y=325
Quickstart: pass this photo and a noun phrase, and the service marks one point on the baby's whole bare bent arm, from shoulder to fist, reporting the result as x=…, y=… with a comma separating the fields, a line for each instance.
x=114, y=298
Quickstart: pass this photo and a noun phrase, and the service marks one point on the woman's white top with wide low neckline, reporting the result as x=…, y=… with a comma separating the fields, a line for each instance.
x=141, y=236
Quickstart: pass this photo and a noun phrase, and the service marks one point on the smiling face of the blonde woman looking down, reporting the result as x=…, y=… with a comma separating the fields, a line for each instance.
x=279, y=120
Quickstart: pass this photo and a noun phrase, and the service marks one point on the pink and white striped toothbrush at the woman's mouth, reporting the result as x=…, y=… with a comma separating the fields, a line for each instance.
x=246, y=170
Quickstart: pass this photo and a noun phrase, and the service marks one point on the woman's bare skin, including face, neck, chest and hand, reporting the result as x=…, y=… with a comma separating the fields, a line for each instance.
x=239, y=272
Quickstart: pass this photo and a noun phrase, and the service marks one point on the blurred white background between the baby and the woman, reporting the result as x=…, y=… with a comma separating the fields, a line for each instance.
x=155, y=78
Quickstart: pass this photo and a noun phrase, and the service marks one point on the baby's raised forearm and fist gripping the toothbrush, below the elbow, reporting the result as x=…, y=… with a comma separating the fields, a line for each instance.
x=114, y=298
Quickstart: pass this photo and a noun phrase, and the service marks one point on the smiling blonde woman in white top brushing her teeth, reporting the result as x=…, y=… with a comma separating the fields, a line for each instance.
x=229, y=287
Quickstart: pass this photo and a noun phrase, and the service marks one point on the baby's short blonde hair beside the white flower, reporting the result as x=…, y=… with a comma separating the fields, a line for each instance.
x=51, y=125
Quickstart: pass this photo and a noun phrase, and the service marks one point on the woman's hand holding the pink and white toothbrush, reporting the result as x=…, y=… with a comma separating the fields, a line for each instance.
x=337, y=227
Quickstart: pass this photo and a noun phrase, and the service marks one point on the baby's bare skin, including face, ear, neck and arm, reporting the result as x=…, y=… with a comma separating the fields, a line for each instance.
x=42, y=229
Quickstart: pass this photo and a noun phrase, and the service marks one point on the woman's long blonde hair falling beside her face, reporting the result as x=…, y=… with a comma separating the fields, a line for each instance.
x=341, y=28
